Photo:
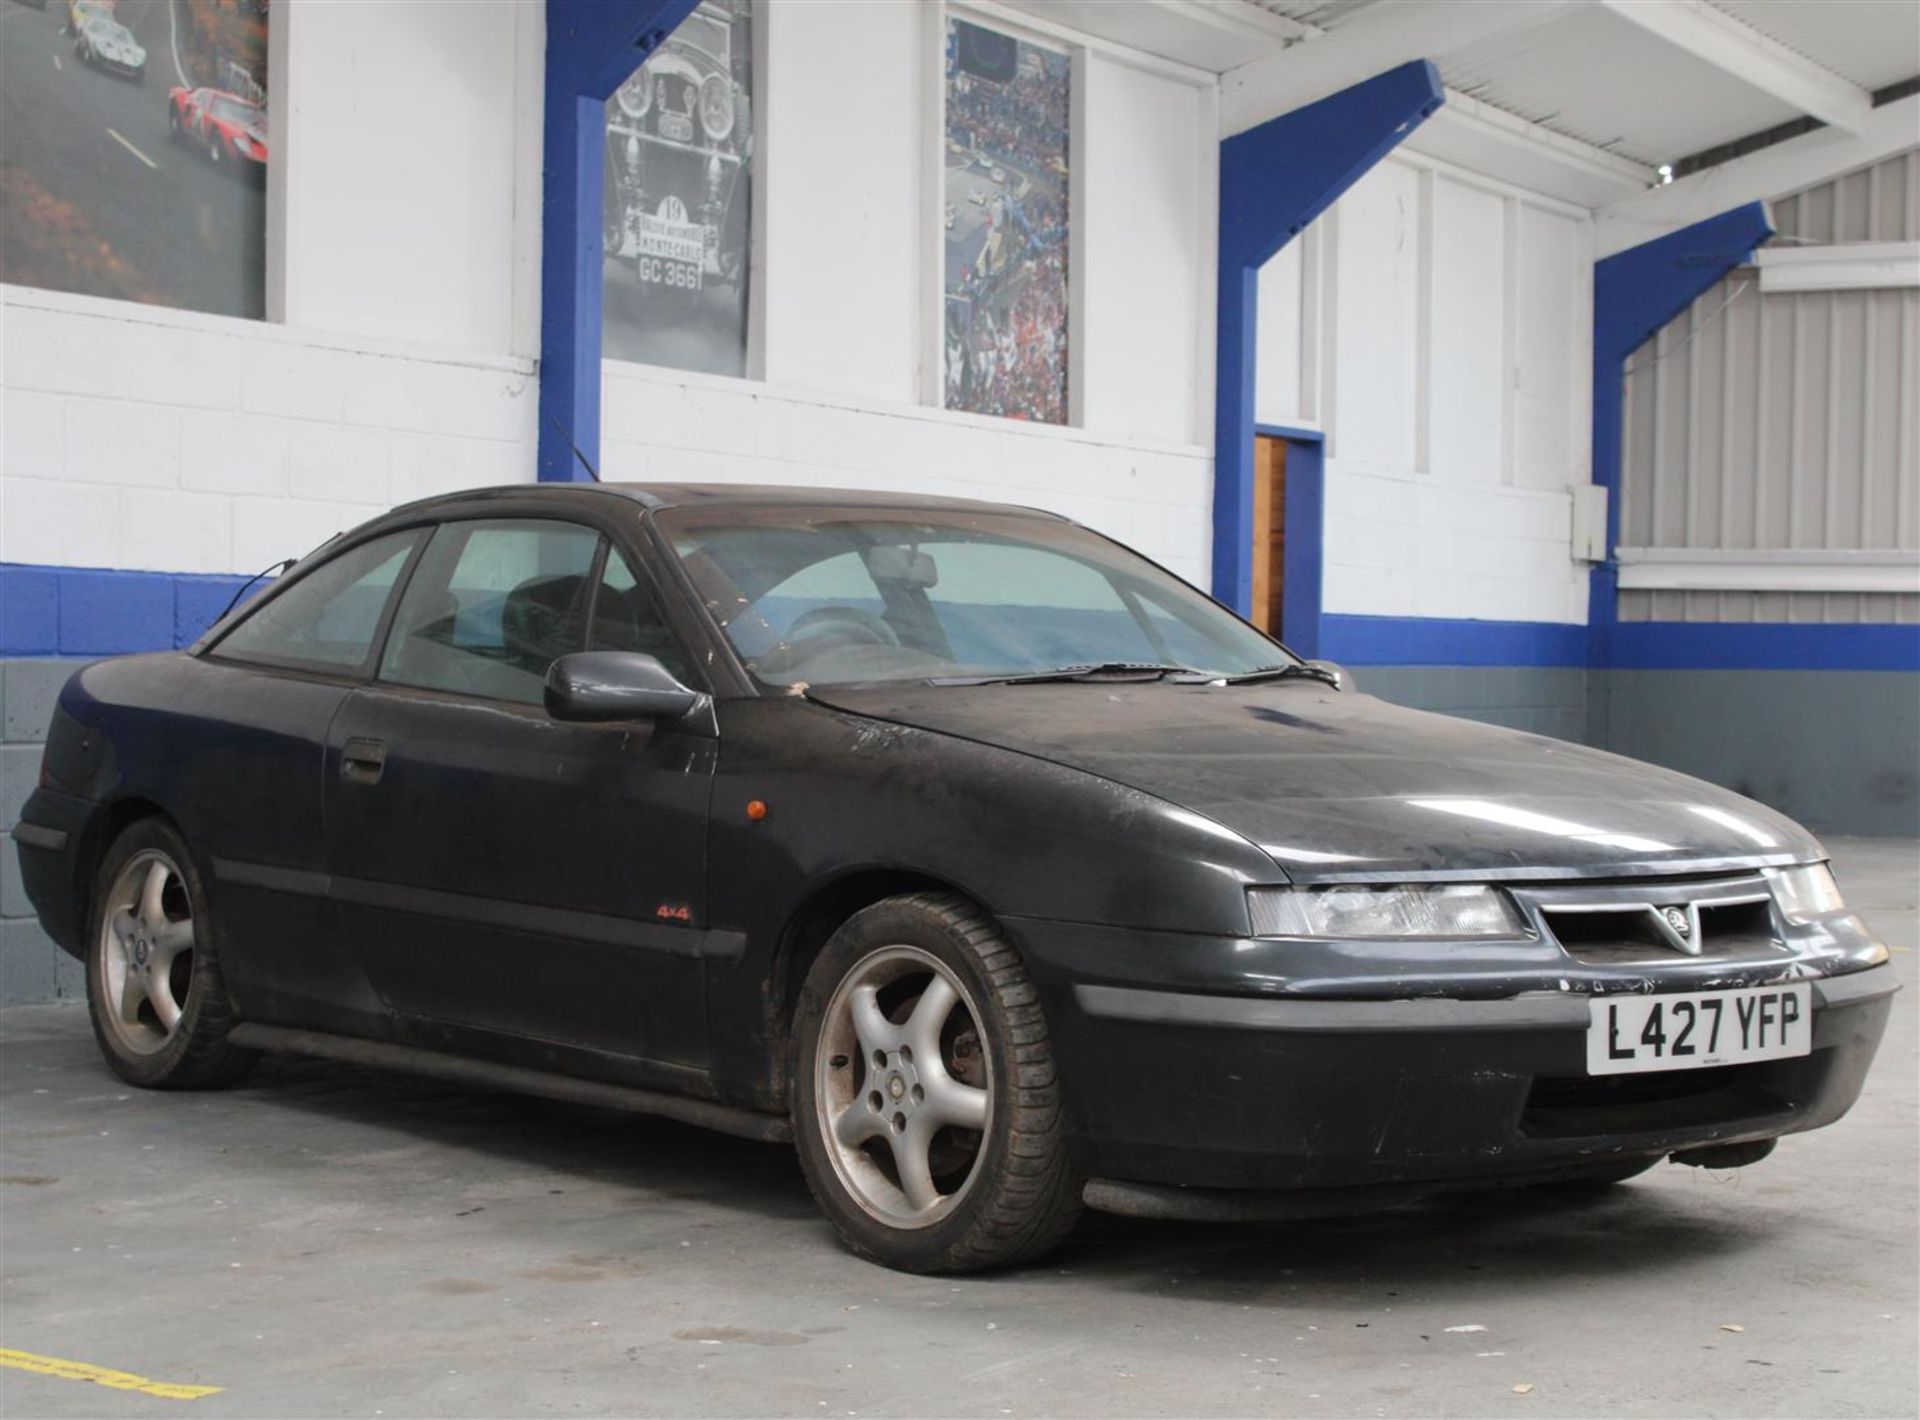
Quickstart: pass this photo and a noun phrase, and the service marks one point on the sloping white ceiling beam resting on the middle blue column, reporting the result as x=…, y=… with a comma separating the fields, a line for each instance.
x=1374, y=41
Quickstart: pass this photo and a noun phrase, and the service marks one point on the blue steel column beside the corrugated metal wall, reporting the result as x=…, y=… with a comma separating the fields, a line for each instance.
x=1635, y=295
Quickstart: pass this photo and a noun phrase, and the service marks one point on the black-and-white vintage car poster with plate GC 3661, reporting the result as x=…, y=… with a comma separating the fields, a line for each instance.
x=679, y=210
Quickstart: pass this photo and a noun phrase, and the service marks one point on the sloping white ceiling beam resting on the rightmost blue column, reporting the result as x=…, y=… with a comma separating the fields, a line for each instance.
x=1758, y=177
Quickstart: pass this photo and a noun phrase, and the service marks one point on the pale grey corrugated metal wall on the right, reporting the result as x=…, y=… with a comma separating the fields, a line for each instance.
x=1785, y=421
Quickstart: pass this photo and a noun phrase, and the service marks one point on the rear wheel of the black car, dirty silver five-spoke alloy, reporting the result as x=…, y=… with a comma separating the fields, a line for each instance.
x=153, y=983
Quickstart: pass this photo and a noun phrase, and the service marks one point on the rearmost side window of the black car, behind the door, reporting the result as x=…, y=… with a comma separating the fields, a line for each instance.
x=329, y=619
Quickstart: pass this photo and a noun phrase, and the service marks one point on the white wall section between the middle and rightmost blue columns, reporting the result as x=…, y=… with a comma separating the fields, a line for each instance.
x=1439, y=327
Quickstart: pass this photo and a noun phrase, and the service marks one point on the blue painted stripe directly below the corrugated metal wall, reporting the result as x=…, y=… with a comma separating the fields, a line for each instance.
x=1764, y=646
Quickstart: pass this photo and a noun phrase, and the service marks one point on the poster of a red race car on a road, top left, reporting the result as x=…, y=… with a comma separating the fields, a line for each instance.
x=133, y=151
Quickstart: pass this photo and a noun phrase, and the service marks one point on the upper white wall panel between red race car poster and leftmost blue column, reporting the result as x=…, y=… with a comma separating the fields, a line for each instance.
x=410, y=147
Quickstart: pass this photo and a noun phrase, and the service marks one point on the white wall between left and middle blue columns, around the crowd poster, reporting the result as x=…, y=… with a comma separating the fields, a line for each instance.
x=852, y=250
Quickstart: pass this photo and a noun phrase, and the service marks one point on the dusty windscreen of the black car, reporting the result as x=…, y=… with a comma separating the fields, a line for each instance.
x=836, y=596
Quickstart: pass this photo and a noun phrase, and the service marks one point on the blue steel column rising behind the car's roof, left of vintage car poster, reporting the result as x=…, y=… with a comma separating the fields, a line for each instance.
x=592, y=47
